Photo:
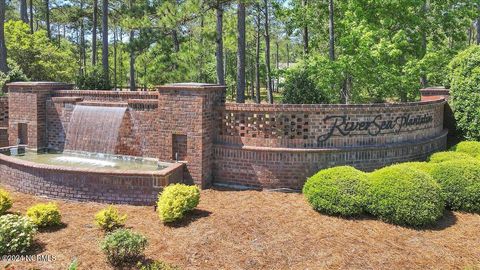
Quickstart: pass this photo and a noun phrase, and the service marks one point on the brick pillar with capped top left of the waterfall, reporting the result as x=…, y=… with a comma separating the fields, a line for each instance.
x=27, y=108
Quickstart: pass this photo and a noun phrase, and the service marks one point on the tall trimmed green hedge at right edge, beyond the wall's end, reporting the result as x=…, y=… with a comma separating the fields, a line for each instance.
x=465, y=80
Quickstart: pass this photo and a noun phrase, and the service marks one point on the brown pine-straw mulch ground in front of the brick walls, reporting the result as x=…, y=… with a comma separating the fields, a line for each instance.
x=262, y=230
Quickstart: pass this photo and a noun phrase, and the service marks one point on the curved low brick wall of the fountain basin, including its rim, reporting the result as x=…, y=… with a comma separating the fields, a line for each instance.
x=107, y=186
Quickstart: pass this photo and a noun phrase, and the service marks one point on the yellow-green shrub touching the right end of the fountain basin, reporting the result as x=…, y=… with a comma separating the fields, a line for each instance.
x=176, y=200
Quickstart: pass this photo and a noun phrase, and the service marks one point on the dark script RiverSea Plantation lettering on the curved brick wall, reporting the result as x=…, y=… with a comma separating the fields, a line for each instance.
x=340, y=124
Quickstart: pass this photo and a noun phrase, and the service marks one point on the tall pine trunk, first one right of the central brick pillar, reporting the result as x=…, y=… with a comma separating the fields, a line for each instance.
x=241, y=53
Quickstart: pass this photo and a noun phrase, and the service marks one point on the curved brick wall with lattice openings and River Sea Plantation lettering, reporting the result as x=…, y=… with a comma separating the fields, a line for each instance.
x=279, y=146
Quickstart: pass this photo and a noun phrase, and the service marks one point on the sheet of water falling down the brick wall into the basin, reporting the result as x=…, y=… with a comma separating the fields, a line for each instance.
x=94, y=129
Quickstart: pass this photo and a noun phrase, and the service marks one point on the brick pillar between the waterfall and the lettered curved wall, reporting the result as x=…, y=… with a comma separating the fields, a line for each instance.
x=187, y=125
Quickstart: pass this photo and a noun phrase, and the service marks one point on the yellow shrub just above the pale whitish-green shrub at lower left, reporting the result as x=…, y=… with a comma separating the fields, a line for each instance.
x=44, y=214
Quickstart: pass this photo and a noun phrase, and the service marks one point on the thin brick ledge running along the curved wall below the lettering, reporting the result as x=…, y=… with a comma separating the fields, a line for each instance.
x=443, y=134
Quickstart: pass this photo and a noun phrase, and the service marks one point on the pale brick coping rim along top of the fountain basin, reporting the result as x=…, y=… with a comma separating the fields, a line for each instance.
x=163, y=172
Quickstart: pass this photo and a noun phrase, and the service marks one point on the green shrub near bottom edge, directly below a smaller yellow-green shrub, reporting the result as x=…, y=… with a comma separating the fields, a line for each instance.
x=123, y=246
